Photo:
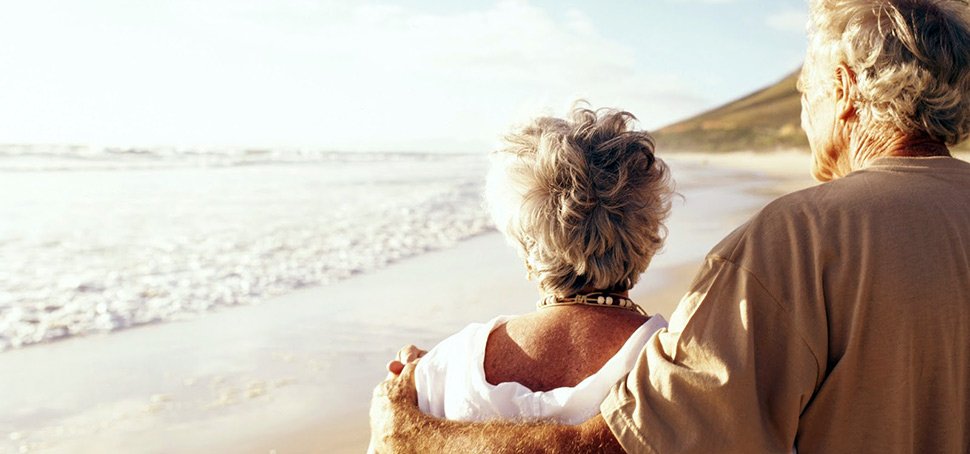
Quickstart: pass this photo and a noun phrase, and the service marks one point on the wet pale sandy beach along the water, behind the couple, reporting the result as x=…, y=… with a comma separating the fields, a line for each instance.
x=294, y=373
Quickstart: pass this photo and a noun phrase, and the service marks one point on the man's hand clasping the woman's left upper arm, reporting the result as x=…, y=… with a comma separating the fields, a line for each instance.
x=393, y=403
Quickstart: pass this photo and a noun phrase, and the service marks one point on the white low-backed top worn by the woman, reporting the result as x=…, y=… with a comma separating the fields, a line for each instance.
x=450, y=381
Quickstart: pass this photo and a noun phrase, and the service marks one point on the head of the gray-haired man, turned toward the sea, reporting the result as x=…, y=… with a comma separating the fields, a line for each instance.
x=883, y=70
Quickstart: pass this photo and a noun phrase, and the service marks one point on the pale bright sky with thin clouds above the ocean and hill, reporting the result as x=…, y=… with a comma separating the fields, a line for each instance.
x=382, y=75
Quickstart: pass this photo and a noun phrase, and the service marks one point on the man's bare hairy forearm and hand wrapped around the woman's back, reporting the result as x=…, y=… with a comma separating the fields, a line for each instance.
x=397, y=425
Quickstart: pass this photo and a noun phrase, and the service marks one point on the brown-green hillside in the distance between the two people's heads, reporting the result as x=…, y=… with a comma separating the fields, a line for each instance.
x=766, y=120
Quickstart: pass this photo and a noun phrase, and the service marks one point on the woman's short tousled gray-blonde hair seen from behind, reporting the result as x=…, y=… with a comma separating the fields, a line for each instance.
x=582, y=199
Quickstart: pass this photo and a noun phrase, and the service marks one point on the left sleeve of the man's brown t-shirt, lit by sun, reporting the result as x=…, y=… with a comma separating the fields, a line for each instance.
x=731, y=373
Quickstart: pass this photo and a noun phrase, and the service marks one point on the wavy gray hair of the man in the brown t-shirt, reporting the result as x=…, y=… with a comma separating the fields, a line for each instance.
x=911, y=60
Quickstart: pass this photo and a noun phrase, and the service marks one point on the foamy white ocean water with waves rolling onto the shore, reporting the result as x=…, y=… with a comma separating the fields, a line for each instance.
x=96, y=240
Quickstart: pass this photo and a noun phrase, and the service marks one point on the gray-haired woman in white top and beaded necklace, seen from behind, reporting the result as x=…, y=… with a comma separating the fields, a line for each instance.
x=583, y=201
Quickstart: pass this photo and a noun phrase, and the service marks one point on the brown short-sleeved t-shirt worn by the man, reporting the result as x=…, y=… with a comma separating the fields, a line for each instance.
x=836, y=320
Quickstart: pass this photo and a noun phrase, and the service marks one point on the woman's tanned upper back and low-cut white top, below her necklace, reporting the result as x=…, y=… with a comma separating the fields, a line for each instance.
x=555, y=364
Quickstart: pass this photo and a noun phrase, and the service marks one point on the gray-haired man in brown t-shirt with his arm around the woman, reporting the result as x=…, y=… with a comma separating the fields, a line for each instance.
x=838, y=318
